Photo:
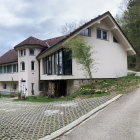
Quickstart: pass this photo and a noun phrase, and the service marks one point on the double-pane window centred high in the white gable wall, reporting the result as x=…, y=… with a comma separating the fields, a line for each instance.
x=102, y=34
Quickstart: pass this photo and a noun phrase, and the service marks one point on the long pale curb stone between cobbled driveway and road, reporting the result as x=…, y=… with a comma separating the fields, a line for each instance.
x=78, y=121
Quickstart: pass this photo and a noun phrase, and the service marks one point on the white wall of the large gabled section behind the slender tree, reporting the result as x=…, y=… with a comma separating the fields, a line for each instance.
x=110, y=59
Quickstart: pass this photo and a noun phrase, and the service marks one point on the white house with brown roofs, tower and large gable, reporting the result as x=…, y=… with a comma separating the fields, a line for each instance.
x=35, y=66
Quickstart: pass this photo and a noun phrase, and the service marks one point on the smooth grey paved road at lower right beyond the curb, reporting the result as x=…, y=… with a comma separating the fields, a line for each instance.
x=119, y=121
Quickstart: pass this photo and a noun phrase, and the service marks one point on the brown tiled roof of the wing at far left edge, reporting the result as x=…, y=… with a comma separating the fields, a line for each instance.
x=9, y=57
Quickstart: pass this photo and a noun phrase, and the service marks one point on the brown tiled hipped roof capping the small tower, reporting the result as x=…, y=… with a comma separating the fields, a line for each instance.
x=32, y=41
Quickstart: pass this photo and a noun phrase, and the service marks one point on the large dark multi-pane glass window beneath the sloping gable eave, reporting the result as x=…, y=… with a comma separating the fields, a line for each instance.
x=58, y=63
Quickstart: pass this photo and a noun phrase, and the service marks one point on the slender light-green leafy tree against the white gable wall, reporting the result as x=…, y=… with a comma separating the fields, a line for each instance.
x=81, y=52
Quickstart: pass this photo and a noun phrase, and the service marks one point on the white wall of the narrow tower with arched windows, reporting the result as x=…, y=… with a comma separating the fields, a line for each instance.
x=30, y=76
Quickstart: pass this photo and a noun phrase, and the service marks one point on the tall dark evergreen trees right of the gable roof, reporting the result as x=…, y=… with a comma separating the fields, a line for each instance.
x=129, y=20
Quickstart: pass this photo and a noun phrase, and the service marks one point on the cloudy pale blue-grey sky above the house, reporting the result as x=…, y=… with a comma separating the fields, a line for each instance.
x=43, y=19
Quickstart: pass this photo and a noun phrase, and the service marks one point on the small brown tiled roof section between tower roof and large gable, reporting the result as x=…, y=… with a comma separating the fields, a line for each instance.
x=55, y=40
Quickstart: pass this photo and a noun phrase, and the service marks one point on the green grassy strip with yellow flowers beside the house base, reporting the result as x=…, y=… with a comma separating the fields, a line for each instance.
x=101, y=88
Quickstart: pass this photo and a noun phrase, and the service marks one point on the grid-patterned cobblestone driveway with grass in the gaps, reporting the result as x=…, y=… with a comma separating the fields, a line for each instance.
x=31, y=121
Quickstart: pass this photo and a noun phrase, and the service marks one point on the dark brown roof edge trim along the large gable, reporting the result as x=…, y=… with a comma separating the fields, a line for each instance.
x=83, y=27
